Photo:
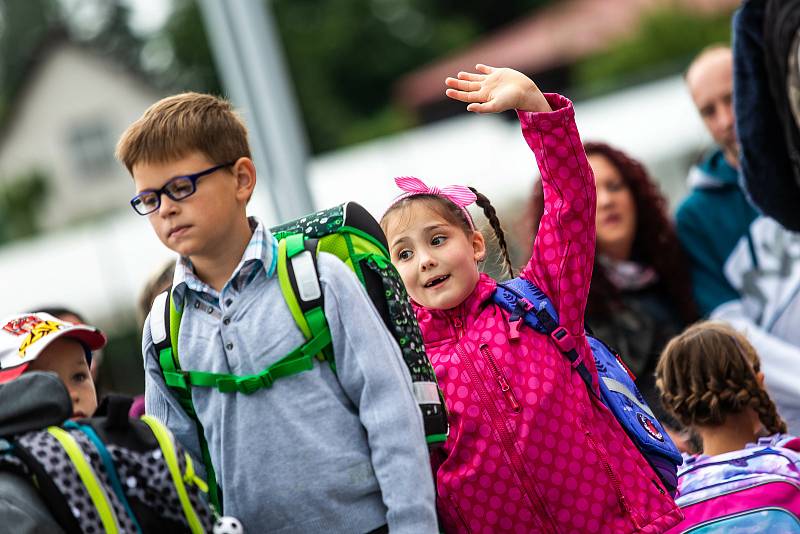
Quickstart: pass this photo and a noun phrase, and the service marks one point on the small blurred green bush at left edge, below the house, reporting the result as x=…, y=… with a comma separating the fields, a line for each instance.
x=19, y=199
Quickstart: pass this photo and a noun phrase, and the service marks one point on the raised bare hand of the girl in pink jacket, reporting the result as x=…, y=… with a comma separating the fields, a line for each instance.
x=496, y=89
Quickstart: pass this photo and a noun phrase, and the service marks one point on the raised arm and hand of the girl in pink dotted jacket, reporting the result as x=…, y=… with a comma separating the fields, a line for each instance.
x=563, y=252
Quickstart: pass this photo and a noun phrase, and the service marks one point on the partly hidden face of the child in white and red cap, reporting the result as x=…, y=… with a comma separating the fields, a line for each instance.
x=66, y=358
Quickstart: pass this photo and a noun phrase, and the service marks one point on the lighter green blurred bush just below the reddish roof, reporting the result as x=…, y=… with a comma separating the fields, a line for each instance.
x=664, y=44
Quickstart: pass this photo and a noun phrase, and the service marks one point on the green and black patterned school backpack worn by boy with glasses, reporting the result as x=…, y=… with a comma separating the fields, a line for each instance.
x=349, y=232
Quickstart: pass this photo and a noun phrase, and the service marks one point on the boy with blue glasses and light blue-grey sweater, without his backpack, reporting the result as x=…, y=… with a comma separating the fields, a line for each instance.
x=316, y=451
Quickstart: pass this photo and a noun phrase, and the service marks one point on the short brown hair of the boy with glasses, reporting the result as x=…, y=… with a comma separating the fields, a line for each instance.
x=180, y=124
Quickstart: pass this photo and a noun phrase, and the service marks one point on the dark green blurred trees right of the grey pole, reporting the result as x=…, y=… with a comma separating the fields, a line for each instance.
x=345, y=56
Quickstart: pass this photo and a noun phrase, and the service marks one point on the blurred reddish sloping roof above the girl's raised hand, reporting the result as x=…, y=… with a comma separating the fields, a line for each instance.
x=554, y=36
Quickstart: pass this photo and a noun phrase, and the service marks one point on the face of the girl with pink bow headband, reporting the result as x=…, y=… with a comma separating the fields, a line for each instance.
x=437, y=261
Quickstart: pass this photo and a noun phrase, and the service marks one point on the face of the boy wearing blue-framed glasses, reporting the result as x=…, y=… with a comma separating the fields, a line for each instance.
x=200, y=224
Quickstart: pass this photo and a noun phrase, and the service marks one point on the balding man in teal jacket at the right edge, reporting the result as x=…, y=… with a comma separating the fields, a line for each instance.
x=744, y=266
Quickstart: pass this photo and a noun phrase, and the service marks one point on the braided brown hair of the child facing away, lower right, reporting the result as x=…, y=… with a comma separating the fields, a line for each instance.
x=711, y=371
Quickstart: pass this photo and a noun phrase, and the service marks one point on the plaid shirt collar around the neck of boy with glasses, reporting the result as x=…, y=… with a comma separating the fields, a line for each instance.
x=260, y=255
